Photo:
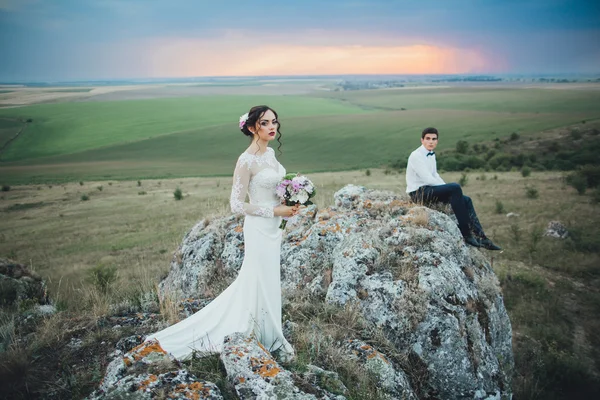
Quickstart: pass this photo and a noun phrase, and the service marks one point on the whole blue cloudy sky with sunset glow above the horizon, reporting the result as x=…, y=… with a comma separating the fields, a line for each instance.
x=70, y=40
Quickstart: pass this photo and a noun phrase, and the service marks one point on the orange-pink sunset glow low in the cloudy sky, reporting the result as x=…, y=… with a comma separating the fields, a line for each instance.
x=198, y=59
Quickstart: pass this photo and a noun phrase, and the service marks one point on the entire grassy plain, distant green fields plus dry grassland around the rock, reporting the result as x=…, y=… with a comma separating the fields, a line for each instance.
x=91, y=184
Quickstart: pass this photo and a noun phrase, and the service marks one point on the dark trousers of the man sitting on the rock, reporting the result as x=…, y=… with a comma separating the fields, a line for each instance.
x=461, y=205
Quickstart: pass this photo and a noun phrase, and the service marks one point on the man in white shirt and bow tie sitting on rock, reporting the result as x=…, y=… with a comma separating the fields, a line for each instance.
x=424, y=185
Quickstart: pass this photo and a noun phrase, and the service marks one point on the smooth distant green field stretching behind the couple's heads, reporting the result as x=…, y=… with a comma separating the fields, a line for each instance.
x=324, y=131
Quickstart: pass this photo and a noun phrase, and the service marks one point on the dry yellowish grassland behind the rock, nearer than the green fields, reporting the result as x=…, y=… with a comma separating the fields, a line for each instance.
x=550, y=286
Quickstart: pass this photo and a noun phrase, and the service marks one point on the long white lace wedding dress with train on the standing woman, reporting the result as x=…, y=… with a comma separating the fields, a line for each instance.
x=252, y=303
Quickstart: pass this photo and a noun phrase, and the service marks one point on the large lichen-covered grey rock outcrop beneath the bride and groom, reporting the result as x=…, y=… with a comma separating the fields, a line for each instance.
x=408, y=271
